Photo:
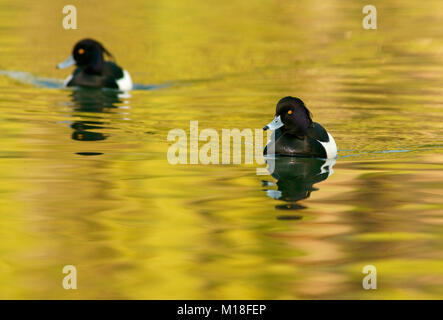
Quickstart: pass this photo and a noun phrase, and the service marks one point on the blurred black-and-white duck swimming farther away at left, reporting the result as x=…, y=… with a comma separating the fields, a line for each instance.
x=92, y=70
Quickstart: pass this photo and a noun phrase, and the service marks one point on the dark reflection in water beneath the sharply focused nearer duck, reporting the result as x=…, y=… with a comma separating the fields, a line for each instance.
x=296, y=177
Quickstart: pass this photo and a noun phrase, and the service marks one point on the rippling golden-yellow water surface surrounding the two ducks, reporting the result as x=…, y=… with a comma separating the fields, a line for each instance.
x=84, y=178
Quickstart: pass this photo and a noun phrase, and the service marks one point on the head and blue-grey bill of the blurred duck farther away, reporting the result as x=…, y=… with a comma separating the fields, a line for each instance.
x=87, y=54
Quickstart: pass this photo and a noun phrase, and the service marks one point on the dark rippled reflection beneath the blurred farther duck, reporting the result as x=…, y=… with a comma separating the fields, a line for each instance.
x=92, y=103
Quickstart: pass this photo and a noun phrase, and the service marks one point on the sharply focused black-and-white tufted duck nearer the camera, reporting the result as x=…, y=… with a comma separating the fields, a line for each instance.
x=295, y=134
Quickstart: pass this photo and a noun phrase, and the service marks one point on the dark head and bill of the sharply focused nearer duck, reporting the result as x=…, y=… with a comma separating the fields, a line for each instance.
x=292, y=116
